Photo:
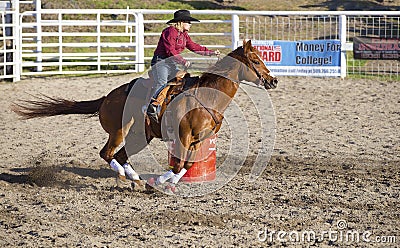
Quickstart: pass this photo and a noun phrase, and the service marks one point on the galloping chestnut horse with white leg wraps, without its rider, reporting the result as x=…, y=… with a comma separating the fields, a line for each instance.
x=196, y=113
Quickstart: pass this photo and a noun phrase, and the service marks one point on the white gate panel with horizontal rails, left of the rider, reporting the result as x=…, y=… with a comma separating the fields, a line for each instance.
x=77, y=42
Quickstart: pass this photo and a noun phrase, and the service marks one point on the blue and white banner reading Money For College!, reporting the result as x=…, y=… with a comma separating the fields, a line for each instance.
x=301, y=58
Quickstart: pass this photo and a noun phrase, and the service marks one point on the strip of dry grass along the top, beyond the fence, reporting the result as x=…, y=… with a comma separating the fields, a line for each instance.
x=233, y=4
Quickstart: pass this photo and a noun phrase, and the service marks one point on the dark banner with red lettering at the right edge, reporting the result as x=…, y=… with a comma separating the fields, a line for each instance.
x=376, y=48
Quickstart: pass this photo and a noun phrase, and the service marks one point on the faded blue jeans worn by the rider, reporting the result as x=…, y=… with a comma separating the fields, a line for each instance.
x=163, y=71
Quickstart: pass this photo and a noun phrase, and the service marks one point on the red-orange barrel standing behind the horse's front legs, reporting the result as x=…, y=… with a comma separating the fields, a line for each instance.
x=204, y=169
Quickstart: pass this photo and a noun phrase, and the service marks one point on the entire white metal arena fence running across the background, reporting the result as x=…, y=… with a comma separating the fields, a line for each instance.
x=72, y=41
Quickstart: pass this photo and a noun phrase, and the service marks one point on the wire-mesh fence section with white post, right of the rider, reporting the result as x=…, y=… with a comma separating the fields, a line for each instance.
x=343, y=26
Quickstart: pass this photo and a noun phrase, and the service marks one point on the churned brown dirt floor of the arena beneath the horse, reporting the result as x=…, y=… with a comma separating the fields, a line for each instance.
x=334, y=171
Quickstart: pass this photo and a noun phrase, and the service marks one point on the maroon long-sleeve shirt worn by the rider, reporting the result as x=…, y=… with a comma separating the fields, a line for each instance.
x=172, y=42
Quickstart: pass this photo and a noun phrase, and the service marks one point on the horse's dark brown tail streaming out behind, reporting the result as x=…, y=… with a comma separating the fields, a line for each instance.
x=49, y=106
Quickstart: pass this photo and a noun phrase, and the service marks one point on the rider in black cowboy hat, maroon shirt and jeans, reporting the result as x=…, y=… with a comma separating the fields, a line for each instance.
x=173, y=41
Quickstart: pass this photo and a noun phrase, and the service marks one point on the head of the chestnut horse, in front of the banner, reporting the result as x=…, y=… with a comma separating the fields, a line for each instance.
x=256, y=70
